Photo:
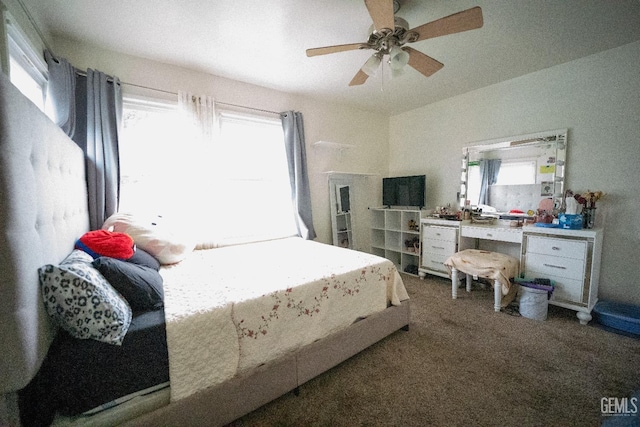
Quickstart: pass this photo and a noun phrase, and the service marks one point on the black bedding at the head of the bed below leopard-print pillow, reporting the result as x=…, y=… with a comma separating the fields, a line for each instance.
x=79, y=375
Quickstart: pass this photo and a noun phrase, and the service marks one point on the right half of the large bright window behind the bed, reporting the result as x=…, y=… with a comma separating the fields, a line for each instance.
x=251, y=167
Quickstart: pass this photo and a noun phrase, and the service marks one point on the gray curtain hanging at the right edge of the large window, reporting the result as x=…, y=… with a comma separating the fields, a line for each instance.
x=298, y=176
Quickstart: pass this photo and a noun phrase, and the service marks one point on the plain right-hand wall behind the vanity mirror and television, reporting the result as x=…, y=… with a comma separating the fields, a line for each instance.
x=595, y=97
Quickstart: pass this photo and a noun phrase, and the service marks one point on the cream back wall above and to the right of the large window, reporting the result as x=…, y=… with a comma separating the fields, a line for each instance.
x=366, y=131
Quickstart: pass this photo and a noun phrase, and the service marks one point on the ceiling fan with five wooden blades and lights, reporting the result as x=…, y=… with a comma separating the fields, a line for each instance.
x=390, y=34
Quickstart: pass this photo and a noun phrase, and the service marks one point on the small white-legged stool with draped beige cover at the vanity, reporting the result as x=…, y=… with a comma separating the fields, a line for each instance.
x=489, y=265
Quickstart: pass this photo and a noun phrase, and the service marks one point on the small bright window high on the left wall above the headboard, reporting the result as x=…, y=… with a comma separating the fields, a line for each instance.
x=27, y=69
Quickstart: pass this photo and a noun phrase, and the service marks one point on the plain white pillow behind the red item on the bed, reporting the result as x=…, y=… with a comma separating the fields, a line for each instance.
x=167, y=241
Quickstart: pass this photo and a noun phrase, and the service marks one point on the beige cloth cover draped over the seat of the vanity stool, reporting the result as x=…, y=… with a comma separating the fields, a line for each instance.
x=490, y=265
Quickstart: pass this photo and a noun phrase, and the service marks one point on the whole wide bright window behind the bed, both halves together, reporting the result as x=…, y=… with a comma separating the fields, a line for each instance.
x=235, y=188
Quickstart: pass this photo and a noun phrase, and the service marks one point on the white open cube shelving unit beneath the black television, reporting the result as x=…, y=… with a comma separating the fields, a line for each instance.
x=392, y=237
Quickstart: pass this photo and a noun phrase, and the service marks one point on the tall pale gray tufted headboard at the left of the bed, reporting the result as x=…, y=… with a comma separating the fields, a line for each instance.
x=43, y=210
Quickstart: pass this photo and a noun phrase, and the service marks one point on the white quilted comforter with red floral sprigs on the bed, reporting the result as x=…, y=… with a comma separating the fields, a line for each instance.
x=233, y=308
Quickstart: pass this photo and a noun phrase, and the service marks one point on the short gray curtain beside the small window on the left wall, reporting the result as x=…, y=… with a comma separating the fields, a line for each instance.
x=61, y=91
